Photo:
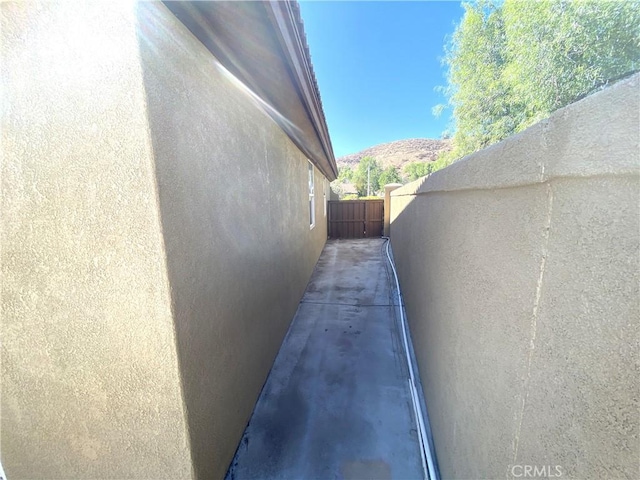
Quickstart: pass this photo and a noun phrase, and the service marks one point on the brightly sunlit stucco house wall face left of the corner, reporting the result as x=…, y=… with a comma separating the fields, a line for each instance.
x=90, y=379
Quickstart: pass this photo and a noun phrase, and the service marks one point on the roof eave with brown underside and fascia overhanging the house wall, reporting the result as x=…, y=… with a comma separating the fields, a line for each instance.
x=263, y=44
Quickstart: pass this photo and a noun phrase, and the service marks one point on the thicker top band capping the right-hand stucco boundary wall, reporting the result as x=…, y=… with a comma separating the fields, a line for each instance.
x=596, y=136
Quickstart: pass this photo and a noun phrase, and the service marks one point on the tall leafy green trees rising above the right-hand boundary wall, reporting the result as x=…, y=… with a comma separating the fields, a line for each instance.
x=513, y=63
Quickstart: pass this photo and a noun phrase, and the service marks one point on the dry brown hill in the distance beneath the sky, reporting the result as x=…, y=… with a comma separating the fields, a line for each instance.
x=399, y=153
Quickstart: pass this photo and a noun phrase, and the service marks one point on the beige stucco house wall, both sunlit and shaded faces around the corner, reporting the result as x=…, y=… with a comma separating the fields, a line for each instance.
x=155, y=244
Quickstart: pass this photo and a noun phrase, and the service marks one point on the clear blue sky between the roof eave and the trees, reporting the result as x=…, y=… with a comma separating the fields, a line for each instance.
x=377, y=65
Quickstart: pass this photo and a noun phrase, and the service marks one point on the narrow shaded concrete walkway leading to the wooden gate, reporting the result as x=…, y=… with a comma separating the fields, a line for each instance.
x=336, y=404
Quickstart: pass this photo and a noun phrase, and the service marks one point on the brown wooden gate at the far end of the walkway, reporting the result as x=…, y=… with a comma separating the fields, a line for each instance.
x=356, y=218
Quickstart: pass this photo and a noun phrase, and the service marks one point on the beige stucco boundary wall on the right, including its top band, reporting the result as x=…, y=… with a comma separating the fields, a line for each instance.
x=519, y=267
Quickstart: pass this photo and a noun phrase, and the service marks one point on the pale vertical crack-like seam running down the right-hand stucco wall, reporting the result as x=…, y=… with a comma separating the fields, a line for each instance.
x=534, y=320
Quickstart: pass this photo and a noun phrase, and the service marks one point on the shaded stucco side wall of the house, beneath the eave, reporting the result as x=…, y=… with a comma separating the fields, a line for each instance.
x=237, y=266
